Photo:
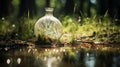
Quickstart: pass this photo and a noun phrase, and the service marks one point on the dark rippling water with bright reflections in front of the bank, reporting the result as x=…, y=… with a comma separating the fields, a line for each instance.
x=58, y=57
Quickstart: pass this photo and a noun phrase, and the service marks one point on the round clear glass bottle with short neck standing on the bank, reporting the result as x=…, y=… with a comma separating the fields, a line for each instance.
x=48, y=26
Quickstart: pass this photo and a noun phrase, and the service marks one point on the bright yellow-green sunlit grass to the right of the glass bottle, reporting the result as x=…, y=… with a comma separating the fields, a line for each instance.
x=101, y=29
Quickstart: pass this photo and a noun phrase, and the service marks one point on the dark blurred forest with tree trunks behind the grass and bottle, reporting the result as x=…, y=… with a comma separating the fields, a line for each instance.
x=19, y=8
